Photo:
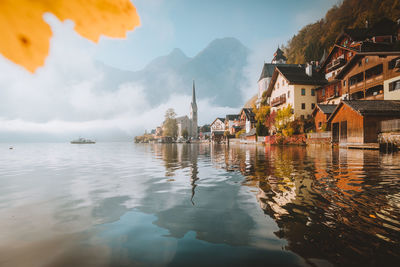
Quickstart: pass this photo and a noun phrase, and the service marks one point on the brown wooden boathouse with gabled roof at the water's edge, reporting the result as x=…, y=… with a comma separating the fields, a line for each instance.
x=357, y=122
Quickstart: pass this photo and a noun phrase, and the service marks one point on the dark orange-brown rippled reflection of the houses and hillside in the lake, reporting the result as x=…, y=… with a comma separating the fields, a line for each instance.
x=329, y=204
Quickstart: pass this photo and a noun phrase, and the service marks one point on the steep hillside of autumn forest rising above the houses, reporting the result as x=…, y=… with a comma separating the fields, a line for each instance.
x=311, y=41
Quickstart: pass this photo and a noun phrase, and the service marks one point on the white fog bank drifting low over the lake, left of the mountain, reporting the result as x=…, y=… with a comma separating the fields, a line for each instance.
x=63, y=98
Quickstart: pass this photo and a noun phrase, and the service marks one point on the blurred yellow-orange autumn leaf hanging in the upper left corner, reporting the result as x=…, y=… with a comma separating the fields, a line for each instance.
x=25, y=36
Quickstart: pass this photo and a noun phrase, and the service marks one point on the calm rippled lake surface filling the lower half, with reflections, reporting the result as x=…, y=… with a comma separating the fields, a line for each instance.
x=125, y=204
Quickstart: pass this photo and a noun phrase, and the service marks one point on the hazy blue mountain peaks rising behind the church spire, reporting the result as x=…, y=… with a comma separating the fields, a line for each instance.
x=217, y=71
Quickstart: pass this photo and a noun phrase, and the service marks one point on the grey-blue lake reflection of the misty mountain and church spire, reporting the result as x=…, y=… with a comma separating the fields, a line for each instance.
x=190, y=202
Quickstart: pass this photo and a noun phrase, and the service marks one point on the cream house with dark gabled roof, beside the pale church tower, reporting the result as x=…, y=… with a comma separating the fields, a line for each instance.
x=294, y=85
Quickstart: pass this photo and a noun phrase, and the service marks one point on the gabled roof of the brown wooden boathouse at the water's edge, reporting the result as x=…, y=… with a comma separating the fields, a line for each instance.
x=389, y=108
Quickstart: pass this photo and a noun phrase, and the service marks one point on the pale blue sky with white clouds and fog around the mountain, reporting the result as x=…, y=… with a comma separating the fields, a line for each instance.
x=61, y=101
